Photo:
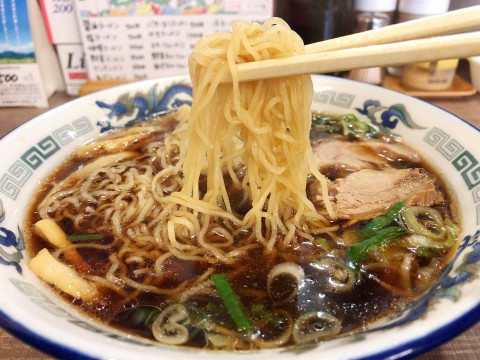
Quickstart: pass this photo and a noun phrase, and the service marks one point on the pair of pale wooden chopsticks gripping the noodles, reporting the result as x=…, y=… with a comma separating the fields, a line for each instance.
x=425, y=39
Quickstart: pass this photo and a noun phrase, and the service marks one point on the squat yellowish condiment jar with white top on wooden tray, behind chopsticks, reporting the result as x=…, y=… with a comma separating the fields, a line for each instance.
x=429, y=76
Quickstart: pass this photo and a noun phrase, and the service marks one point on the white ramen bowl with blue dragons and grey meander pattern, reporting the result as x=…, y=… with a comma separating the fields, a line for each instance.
x=32, y=312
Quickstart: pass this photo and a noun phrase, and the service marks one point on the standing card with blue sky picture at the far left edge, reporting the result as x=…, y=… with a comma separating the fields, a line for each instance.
x=29, y=70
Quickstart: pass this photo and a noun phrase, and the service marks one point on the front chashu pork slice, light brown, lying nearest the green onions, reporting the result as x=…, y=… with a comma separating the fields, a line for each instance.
x=368, y=193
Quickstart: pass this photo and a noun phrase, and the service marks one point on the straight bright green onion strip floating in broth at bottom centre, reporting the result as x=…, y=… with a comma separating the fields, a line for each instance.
x=231, y=301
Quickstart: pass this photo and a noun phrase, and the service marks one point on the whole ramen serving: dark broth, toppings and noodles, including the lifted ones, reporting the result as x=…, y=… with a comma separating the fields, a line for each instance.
x=229, y=225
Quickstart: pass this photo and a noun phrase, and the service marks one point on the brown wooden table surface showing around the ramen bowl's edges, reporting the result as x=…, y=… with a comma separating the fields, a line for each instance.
x=465, y=346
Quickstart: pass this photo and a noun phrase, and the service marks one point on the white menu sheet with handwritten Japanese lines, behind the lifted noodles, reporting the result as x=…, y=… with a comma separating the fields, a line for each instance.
x=139, y=39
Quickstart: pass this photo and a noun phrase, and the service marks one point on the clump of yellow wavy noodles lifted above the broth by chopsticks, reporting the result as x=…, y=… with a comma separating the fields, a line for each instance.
x=269, y=122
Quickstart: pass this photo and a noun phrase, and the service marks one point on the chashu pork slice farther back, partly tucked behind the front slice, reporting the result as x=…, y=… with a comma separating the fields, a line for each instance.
x=342, y=157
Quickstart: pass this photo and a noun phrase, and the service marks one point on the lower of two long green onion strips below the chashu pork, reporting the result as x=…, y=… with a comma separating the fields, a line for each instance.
x=358, y=252
